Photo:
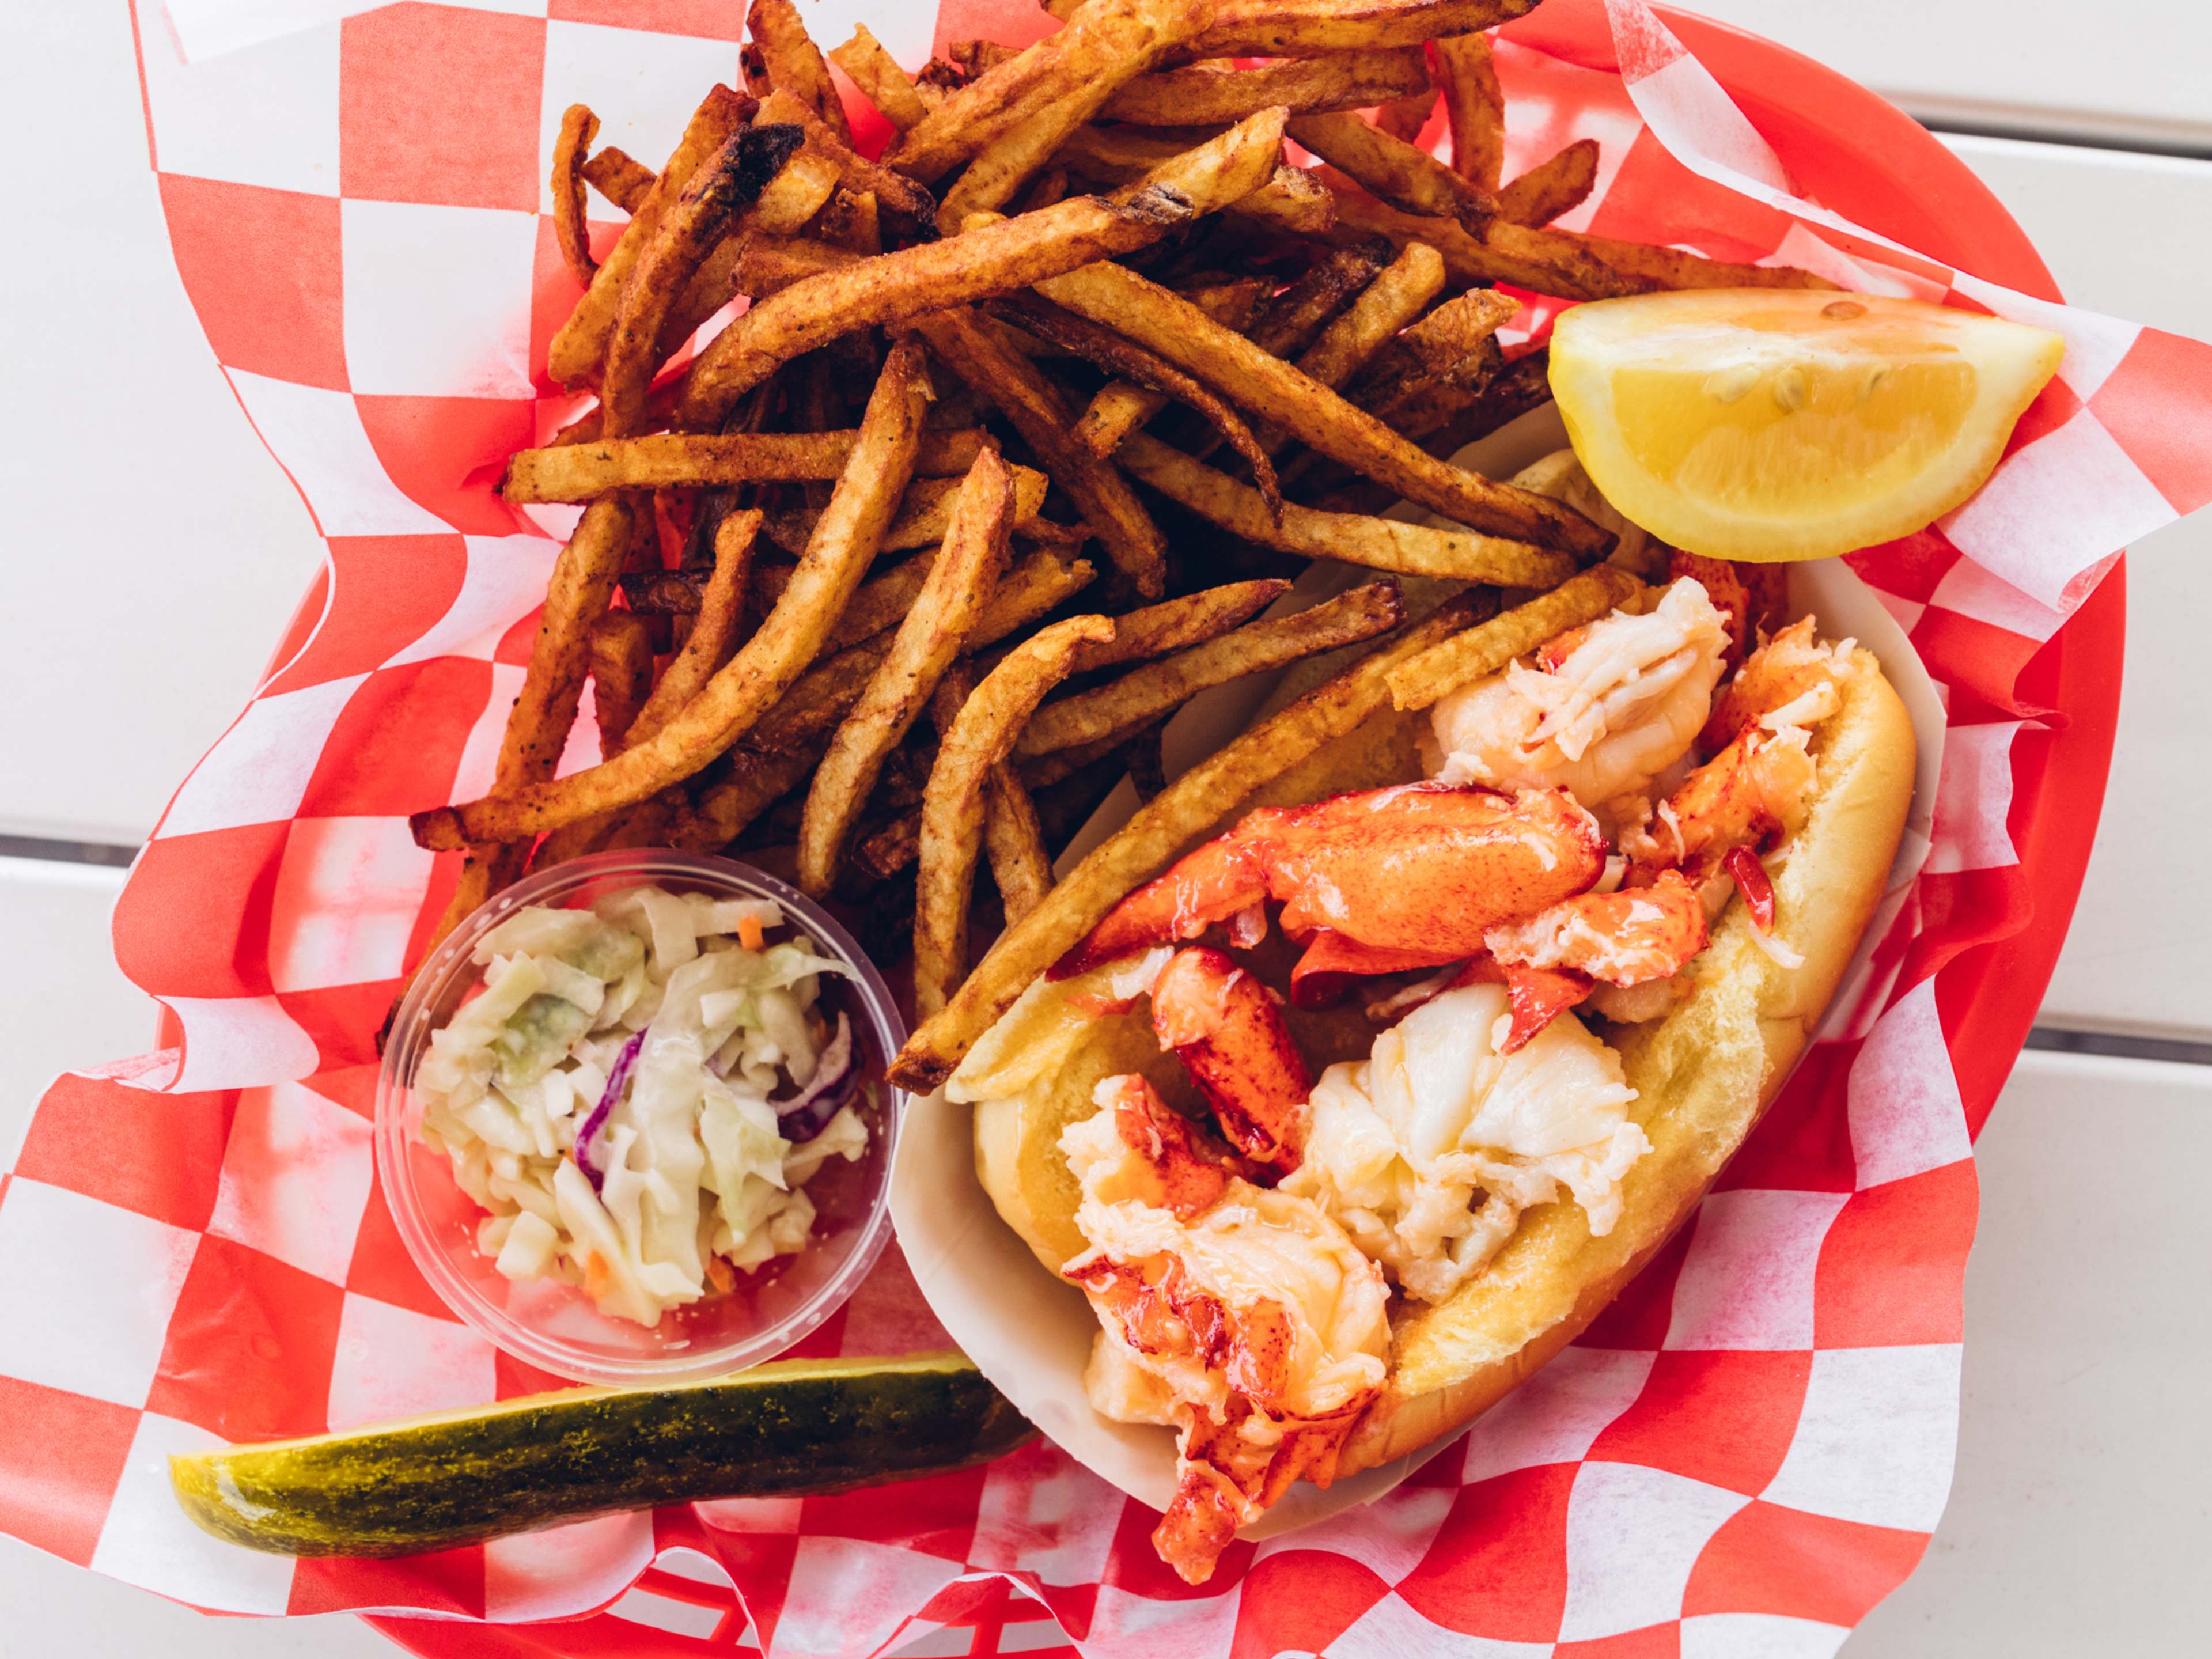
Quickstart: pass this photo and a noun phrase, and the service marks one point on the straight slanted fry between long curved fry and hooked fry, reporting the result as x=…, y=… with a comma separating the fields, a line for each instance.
x=928, y=643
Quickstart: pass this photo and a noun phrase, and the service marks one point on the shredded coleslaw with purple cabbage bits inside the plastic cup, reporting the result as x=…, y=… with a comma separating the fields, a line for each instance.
x=638, y=1094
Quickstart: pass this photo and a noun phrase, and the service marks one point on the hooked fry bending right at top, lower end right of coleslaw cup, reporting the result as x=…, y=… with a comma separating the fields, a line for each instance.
x=954, y=804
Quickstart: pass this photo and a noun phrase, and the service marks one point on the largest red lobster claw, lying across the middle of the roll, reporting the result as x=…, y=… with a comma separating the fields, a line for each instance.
x=1412, y=868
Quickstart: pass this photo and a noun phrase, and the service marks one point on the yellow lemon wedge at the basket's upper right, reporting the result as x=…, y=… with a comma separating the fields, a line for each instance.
x=1755, y=424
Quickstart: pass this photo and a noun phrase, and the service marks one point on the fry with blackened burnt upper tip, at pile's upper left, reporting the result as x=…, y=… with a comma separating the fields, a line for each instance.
x=682, y=238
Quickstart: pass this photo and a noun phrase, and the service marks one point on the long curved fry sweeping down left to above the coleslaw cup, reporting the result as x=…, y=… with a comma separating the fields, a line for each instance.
x=839, y=552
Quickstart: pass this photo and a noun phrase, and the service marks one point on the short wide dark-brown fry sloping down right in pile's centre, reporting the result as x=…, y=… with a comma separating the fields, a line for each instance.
x=979, y=353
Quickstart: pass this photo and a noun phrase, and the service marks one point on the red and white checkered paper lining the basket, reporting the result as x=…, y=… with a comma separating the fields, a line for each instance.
x=1742, y=1459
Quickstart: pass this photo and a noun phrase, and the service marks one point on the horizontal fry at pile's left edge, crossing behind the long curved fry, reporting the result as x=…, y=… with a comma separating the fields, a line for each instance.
x=680, y=461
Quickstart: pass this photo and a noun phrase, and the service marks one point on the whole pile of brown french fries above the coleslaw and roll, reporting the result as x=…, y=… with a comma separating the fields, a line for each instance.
x=835, y=581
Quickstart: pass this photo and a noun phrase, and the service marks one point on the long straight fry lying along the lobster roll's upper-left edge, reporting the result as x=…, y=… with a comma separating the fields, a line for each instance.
x=1165, y=828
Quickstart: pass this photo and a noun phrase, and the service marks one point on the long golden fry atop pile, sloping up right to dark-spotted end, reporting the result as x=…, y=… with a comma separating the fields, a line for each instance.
x=977, y=264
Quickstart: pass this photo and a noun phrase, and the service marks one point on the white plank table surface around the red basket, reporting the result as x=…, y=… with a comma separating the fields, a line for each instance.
x=154, y=578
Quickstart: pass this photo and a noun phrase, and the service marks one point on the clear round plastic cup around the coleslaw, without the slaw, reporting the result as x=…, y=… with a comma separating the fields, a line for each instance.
x=550, y=1322
